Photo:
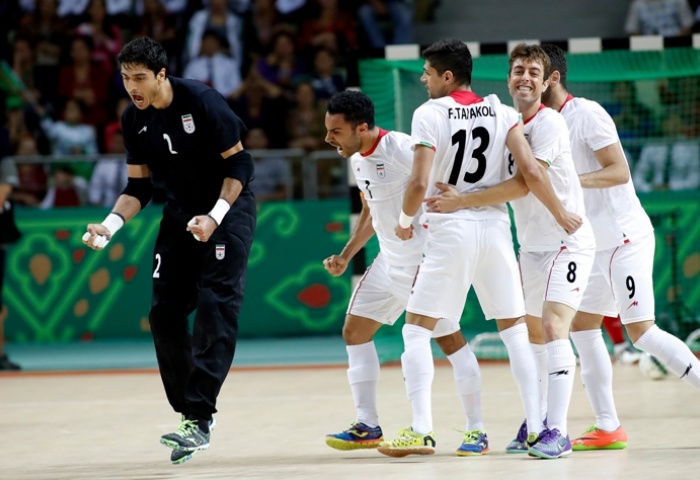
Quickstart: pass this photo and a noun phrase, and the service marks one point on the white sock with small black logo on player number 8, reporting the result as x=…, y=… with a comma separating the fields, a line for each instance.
x=562, y=370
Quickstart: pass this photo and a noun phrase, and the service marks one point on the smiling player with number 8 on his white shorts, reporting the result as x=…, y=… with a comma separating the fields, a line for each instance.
x=555, y=265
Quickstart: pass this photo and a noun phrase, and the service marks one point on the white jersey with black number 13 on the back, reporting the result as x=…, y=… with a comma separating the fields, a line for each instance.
x=468, y=134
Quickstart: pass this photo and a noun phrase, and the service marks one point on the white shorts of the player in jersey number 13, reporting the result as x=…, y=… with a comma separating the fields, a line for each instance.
x=461, y=253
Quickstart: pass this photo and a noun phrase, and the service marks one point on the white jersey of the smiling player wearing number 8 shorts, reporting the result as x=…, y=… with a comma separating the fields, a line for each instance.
x=536, y=227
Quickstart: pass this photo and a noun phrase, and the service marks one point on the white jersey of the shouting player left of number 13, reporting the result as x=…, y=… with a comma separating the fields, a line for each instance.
x=382, y=175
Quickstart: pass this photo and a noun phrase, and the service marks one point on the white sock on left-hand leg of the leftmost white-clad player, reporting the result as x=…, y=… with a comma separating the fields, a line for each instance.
x=363, y=375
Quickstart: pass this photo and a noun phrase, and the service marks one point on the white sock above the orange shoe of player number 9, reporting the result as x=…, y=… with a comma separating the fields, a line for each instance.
x=597, y=375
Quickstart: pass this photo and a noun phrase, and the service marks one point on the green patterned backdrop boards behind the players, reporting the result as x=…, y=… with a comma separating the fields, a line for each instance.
x=57, y=290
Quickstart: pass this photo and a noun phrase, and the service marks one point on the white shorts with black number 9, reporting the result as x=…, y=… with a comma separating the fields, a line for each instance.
x=621, y=282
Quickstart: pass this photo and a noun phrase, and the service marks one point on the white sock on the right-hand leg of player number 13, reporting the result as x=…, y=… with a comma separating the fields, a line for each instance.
x=523, y=366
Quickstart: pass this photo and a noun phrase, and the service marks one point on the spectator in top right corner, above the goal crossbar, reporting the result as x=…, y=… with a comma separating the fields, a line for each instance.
x=670, y=18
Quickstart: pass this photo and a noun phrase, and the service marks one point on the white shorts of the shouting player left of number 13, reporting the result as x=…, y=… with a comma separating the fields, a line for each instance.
x=382, y=293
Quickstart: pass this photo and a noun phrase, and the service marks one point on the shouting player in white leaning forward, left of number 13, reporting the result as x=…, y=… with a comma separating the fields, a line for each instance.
x=381, y=162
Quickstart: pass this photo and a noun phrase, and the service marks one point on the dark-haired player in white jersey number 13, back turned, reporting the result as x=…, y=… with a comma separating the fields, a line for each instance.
x=460, y=138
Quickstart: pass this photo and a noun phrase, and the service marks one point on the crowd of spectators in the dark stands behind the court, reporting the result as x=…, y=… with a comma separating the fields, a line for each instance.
x=275, y=61
